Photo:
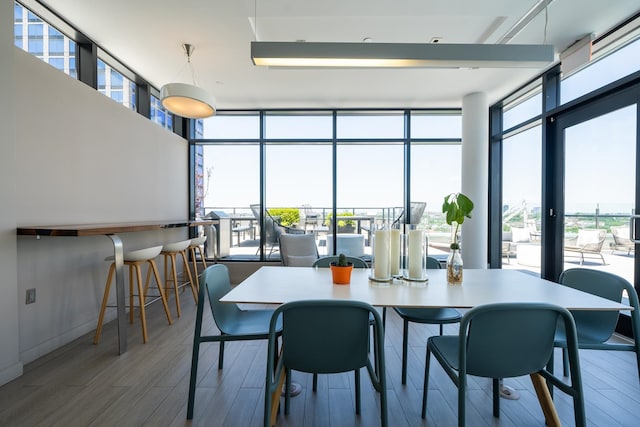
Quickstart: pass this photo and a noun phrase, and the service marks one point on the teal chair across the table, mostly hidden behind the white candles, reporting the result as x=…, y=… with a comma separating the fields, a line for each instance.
x=431, y=316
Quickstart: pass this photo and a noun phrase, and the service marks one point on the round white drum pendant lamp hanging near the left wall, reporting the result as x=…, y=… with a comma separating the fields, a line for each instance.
x=188, y=100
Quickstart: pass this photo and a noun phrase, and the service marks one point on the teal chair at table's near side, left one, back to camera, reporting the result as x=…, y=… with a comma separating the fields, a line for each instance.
x=324, y=336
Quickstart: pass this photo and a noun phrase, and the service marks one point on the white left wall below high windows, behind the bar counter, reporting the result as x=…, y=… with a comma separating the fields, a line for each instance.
x=78, y=158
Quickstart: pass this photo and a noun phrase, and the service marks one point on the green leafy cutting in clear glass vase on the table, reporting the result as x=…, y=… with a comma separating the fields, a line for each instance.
x=457, y=207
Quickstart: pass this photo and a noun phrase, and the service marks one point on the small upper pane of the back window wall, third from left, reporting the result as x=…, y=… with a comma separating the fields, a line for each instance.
x=374, y=125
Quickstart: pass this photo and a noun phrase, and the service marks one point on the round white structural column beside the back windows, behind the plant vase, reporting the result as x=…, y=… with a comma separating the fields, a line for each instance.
x=475, y=180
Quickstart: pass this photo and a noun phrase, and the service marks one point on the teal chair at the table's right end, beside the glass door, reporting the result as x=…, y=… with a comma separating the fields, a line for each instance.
x=595, y=328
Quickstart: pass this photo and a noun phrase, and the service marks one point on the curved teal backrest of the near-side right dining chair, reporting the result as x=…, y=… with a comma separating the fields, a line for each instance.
x=510, y=339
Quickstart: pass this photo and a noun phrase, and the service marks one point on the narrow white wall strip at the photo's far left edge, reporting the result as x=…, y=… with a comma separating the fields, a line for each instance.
x=10, y=364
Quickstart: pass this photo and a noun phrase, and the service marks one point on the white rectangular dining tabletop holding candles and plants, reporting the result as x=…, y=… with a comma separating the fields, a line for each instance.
x=277, y=285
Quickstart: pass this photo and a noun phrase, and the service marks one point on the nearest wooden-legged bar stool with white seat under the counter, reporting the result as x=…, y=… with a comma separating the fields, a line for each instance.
x=134, y=260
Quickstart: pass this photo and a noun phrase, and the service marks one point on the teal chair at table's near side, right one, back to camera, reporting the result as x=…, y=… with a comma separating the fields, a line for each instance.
x=506, y=340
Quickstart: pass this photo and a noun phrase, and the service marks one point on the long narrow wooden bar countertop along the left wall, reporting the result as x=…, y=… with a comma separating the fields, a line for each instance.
x=106, y=228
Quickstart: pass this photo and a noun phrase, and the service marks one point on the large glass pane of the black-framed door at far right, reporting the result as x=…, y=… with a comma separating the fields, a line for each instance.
x=600, y=182
